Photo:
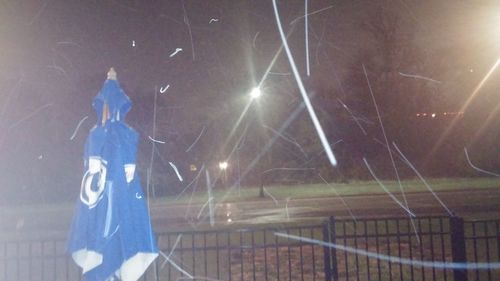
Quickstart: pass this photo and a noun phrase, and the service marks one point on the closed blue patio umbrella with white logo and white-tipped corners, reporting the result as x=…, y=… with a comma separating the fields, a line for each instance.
x=111, y=236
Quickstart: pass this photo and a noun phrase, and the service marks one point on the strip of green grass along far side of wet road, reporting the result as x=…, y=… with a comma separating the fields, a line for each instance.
x=233, y=194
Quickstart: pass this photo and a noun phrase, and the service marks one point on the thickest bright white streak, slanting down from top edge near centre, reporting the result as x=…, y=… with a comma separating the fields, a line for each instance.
x=310, y=109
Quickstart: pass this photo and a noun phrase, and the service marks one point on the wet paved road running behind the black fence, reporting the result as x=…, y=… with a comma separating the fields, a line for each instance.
x=468, y=203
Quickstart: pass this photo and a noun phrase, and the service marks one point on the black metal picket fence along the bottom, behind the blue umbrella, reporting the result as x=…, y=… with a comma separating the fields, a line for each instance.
x=365, y=249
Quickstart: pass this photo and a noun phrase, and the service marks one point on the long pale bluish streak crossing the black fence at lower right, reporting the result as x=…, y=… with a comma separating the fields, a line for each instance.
x=395, y=259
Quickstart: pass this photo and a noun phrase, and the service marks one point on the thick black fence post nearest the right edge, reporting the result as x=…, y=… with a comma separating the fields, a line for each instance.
x=458, y=251
